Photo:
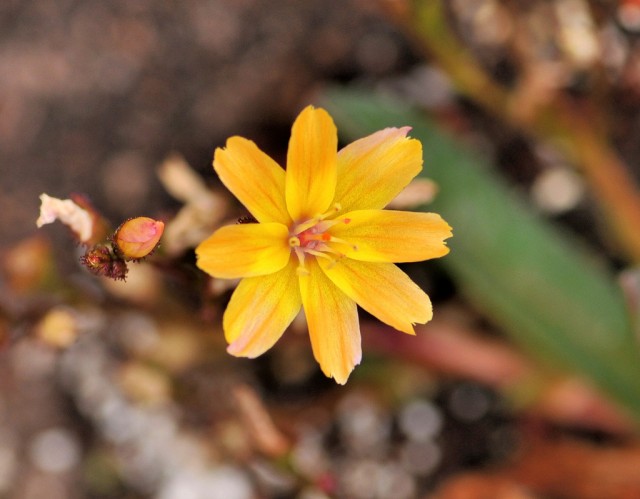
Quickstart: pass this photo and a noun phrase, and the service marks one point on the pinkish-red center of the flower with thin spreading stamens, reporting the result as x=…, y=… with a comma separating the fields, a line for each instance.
x=311, y=238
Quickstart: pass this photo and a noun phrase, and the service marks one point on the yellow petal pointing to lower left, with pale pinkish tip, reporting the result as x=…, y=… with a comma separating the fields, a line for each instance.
x=260, y=310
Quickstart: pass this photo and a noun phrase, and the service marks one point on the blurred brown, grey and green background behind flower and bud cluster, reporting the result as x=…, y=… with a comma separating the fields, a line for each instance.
x=527, y=382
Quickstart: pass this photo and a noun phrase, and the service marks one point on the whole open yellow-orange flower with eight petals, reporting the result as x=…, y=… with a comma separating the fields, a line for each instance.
x=322, y=241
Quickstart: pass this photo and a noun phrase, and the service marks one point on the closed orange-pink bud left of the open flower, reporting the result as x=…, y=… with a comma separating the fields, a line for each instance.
x=138, y=237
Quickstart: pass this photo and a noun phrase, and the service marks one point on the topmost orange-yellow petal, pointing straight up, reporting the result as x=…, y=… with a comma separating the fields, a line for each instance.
x=311, y=164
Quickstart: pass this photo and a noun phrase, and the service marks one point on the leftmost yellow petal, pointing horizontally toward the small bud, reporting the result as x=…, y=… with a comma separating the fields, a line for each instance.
x=244, y=250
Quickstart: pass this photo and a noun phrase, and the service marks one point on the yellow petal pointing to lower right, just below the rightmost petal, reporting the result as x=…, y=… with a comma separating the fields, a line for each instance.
x=383, y=290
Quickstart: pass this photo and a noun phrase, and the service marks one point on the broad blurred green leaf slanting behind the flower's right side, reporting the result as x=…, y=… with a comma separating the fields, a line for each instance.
x=545, y=289
